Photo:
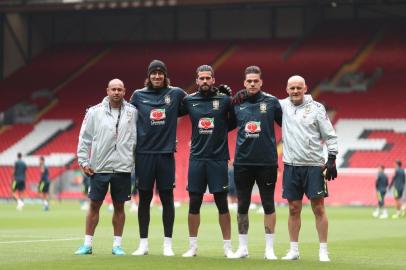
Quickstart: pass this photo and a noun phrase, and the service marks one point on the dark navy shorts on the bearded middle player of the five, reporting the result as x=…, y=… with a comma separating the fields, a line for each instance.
x=211, y=173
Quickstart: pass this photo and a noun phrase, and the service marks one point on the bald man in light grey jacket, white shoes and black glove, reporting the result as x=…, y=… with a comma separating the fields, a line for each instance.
x=305, y=128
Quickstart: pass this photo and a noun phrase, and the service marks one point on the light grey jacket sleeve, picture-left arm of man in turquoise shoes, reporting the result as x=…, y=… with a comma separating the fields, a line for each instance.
x=85, y=139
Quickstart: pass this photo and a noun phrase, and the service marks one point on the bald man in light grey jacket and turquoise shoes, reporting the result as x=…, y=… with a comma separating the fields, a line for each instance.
x=105, y=152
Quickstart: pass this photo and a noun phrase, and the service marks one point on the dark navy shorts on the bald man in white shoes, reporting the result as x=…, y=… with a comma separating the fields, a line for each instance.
x=299, y=180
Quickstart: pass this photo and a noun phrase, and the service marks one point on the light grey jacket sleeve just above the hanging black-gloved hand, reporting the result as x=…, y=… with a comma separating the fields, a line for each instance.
x=327, y=131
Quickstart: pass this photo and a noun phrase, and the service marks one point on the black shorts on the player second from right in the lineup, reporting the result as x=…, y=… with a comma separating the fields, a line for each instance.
x=246, y=176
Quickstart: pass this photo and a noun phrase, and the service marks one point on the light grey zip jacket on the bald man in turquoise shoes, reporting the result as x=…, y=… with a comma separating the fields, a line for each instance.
x=108, y=153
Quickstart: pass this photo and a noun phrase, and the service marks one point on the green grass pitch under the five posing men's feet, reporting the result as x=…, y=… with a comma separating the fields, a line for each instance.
x=34, y=239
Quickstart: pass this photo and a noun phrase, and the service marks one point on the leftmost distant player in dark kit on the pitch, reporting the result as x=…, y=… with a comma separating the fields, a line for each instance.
x=18, y=186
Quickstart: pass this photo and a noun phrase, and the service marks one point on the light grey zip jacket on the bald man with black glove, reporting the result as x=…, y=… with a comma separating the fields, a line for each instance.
x=304, y=130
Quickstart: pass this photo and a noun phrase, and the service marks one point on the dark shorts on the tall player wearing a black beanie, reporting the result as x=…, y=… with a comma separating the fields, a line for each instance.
x=155, y=167
